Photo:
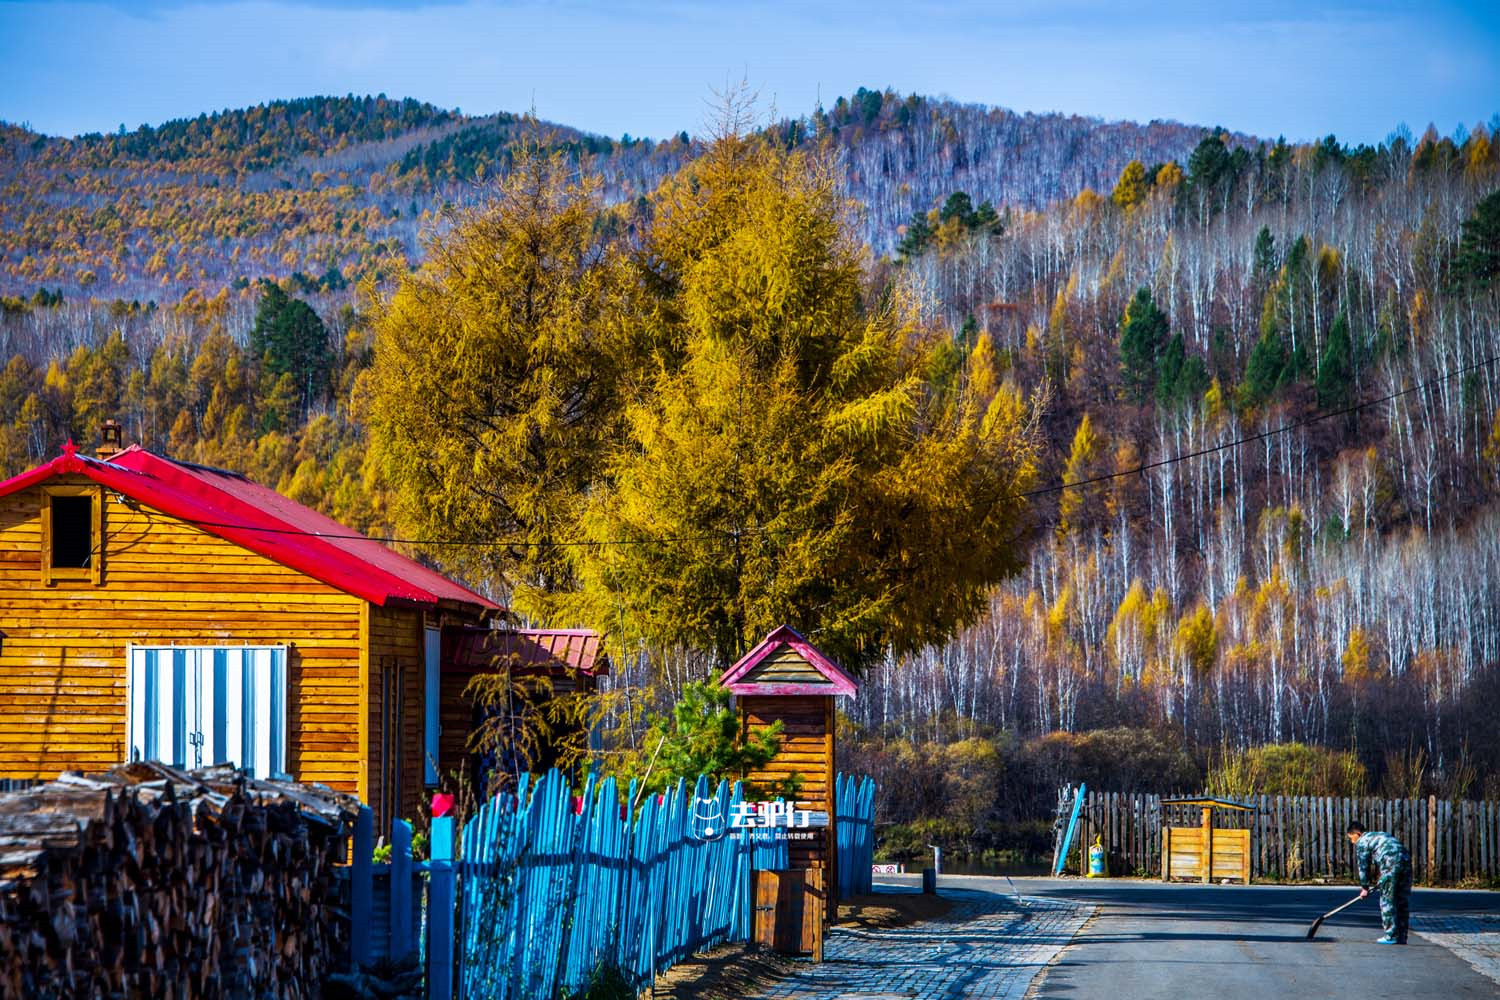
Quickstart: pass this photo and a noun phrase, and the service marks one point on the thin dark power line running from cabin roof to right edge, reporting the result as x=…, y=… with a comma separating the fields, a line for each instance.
x=1043, y=491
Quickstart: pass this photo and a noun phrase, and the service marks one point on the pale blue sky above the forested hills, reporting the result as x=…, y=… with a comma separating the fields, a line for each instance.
x=1303, y=70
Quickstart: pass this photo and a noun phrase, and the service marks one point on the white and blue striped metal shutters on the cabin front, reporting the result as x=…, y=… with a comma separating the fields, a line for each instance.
x=203, y=705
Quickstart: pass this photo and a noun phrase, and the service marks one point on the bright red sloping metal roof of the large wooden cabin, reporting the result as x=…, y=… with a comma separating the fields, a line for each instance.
x=263, y=521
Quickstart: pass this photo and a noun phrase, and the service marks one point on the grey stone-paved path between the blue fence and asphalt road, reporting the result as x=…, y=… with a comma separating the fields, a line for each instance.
x=985, y=947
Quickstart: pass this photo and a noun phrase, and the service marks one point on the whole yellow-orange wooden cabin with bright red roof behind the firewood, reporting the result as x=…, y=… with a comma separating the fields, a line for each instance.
x=155, y=609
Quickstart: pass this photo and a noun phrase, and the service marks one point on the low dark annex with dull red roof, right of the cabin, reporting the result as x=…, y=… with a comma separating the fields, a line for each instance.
x=571, y=660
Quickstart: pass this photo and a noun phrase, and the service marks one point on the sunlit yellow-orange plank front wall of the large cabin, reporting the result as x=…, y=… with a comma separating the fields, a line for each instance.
x=64, y=657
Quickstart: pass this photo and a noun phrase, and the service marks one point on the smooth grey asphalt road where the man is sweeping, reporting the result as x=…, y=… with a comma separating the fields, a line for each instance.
x=1150, y=941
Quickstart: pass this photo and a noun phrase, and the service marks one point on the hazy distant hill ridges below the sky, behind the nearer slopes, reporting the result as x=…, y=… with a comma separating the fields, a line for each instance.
x=341, y=188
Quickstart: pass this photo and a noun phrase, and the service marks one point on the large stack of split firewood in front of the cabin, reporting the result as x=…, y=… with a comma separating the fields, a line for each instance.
x=152, y=882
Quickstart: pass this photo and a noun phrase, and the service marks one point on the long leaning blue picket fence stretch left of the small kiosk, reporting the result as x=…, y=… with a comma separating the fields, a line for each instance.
x=559, y=888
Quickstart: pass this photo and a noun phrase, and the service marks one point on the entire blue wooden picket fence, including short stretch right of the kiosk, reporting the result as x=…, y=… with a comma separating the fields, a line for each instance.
x=551, y=888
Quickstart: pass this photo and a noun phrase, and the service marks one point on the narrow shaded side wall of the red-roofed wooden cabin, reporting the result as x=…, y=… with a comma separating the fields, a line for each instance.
x=395, y=654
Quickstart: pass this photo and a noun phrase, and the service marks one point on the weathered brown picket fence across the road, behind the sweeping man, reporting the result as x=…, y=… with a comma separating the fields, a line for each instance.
x=1300, y=837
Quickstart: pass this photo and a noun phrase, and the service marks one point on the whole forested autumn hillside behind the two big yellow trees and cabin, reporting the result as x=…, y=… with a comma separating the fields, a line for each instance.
x=1262, y=377
